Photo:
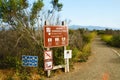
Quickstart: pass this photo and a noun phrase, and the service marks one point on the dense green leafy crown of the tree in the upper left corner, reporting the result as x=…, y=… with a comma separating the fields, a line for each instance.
x=17, y=12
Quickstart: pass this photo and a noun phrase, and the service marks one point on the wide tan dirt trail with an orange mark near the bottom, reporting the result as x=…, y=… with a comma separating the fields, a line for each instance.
x=104, y=64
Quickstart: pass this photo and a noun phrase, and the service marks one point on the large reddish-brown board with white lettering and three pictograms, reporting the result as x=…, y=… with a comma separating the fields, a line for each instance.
x=55, y=36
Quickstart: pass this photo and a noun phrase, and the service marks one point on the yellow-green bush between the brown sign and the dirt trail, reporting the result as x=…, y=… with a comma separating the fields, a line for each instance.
x=81, y=52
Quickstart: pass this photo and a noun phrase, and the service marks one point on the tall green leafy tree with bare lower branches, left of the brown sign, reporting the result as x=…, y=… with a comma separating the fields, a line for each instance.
x=22, y=17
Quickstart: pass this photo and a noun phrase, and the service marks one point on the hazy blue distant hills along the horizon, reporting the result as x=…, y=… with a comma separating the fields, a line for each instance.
x=90, y=27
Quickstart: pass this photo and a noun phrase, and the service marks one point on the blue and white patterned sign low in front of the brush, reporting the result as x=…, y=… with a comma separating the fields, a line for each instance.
x=30, y=61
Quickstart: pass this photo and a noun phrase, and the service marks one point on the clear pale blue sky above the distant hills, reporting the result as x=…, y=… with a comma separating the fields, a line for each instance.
x=104, y=13
